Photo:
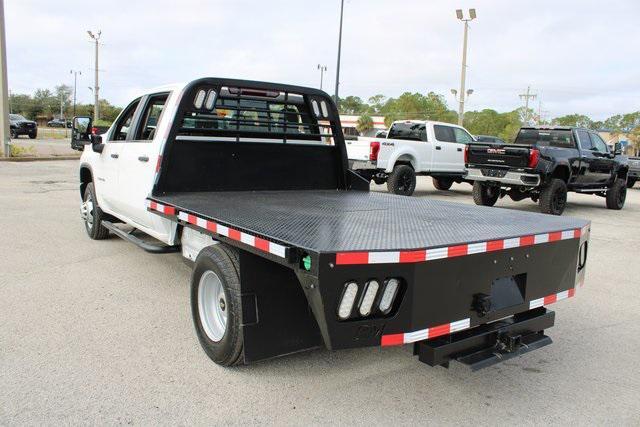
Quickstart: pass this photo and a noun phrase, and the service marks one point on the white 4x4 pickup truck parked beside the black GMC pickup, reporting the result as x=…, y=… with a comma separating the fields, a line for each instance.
x=412, y=147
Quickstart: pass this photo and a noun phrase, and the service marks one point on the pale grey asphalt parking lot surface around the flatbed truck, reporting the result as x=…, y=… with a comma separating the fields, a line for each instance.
x=100, y=333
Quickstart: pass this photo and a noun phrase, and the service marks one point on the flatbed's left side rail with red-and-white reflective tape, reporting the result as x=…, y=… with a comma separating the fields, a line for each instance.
x=253, y=243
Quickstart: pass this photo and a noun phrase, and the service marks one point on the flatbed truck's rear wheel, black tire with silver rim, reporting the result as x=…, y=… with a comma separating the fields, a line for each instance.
x=215, y=294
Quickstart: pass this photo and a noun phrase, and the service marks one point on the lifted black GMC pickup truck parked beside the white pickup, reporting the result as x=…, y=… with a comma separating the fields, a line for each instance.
x=544, y=164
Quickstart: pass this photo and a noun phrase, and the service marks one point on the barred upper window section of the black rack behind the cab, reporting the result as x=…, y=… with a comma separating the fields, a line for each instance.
x=241, y=110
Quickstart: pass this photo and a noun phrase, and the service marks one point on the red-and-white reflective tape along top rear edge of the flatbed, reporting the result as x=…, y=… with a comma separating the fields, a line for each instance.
x=421, y=255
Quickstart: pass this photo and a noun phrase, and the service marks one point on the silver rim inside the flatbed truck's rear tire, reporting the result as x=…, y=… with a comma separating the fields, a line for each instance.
x=212, y=306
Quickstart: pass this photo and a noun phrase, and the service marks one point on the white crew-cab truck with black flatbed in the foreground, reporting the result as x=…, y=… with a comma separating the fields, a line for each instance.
x=291, y=251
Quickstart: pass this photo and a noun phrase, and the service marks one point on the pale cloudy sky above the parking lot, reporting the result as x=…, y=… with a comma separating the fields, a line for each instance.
x=577, y=56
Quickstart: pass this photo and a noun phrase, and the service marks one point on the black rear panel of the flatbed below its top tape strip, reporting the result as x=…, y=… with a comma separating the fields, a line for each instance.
x=440, y=297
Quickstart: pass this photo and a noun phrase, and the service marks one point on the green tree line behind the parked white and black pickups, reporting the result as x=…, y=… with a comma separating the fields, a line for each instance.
x=433, y=106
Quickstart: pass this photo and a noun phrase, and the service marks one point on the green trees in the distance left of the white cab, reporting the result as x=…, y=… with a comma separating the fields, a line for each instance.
x=47, y=104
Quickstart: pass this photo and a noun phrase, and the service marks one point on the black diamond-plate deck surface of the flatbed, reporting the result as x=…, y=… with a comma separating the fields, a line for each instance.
x=327, y=221
